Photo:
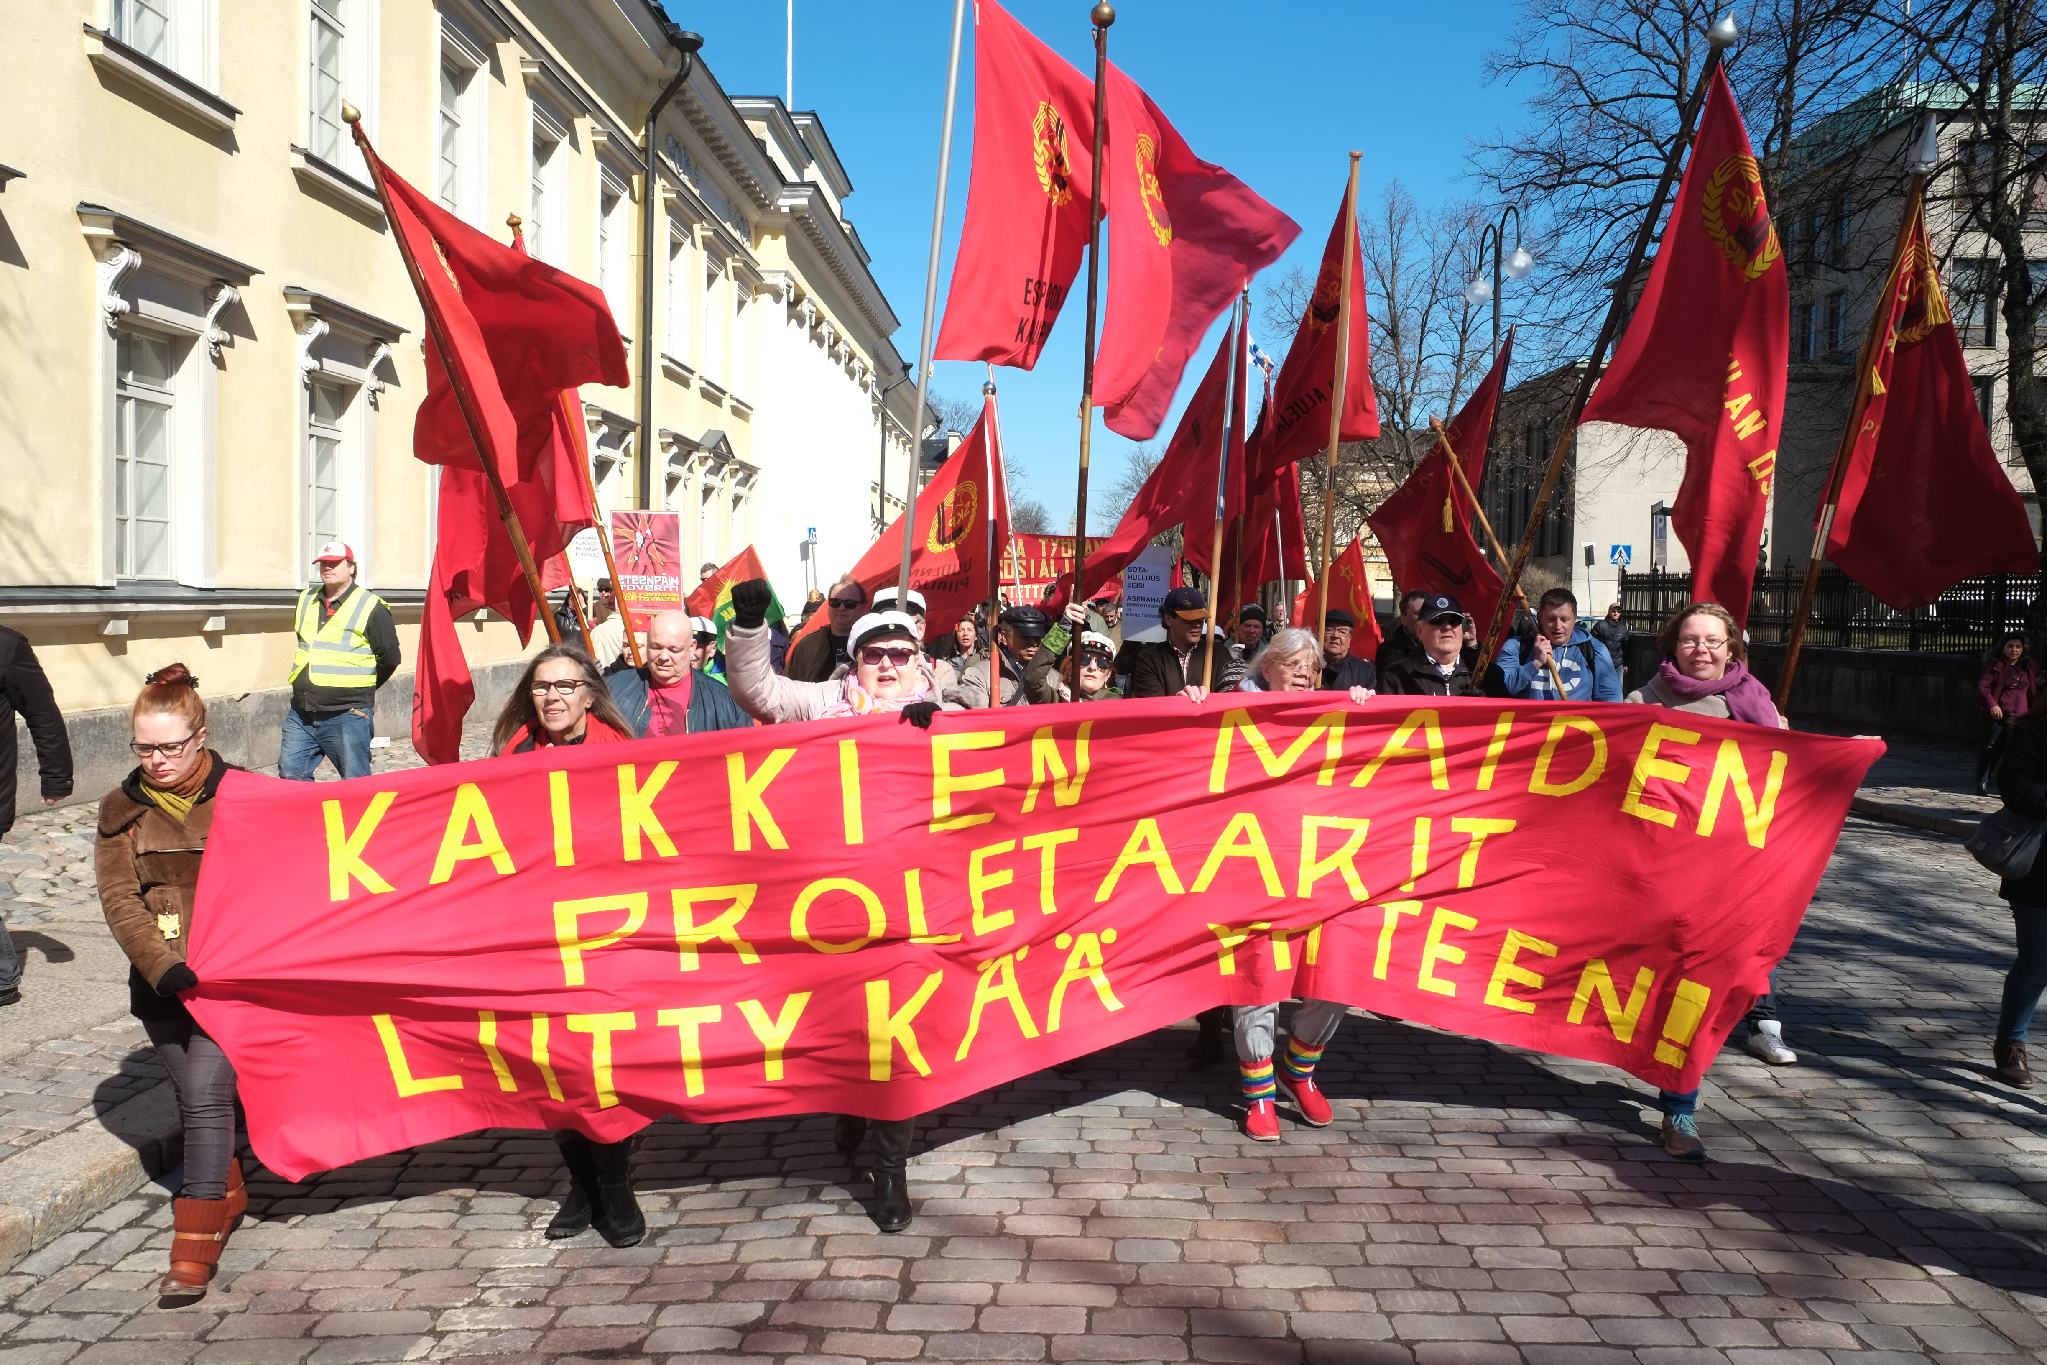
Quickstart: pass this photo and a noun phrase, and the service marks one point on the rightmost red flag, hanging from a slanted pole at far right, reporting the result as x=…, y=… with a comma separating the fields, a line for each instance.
x=1923, y=502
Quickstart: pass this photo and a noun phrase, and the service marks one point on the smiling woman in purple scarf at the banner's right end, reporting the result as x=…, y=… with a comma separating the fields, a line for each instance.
x=1702, y=672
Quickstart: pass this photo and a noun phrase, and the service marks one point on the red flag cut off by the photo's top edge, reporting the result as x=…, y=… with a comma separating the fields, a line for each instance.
x=1027, y=206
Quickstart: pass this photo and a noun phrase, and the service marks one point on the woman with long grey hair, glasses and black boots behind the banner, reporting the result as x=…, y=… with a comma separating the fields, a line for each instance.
x=562, y=701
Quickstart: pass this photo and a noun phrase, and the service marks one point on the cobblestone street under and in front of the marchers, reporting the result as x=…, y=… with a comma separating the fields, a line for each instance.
x=1880, y=1202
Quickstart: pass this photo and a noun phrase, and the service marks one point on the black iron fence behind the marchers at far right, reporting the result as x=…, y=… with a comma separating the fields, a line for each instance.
x=1966, y=621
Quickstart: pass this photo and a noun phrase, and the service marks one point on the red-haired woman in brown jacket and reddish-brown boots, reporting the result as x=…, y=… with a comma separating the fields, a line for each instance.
x=153, y=834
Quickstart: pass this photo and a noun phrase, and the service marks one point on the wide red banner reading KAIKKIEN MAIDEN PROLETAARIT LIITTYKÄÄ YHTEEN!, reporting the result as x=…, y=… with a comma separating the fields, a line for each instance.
x=879, y=920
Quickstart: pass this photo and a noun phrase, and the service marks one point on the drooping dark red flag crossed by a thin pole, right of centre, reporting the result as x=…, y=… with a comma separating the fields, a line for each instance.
x=1426, y=527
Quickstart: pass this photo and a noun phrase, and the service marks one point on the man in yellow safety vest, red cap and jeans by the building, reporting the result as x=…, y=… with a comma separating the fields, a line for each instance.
x=347, y=650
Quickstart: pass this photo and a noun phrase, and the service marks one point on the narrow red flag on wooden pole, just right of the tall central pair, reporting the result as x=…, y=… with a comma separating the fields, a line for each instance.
x=1301, y=421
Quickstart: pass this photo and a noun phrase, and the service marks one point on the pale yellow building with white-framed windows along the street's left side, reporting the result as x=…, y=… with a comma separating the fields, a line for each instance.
x=210, y=351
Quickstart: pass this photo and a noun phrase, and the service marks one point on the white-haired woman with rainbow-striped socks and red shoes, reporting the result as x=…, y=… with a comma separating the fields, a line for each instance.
x=1293, y=662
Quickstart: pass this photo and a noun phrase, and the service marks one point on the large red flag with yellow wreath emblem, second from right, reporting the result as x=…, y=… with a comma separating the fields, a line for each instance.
x=1706, y=355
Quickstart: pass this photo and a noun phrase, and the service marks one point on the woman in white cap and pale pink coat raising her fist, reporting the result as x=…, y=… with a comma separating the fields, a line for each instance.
x=889, y=680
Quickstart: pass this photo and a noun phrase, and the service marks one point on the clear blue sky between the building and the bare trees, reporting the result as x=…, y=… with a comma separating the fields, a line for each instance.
x=1276, y=93
